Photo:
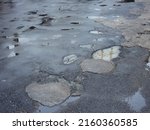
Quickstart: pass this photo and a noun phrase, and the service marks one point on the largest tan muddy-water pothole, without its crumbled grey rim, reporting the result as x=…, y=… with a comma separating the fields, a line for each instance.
x=49, y=94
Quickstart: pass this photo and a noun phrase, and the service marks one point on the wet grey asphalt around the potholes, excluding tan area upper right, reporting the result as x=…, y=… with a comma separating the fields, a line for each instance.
x=43, y=33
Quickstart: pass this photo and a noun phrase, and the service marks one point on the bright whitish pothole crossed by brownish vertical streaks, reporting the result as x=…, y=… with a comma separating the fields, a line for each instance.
x=107, y=54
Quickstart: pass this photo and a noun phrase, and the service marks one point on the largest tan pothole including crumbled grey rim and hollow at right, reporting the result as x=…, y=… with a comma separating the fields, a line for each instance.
x=53, y=91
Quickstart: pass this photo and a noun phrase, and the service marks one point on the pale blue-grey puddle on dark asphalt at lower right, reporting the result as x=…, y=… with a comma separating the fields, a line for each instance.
x=136, y=101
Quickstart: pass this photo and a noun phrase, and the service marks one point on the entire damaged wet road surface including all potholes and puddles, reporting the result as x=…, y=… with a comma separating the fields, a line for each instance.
x=74, y=56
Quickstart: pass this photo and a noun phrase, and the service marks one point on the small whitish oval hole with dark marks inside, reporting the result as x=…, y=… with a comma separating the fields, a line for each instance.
x=70, y=59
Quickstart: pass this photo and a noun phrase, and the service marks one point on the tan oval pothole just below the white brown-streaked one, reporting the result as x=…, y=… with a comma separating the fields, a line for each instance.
x=97, y=66
